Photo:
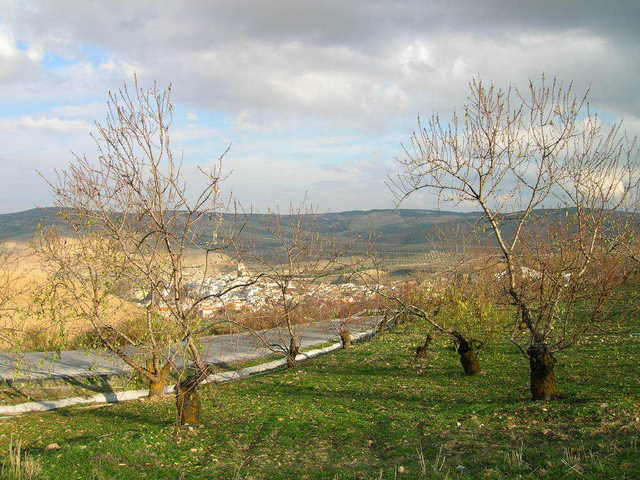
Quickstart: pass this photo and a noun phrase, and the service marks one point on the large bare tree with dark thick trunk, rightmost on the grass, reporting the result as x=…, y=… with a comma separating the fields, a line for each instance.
x=513, y=155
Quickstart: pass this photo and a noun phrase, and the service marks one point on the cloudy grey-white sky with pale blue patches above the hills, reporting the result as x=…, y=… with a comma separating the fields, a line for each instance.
x=314, y=97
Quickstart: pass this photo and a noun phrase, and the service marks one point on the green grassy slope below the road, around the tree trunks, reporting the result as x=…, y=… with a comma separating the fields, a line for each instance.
x=368, y=413
